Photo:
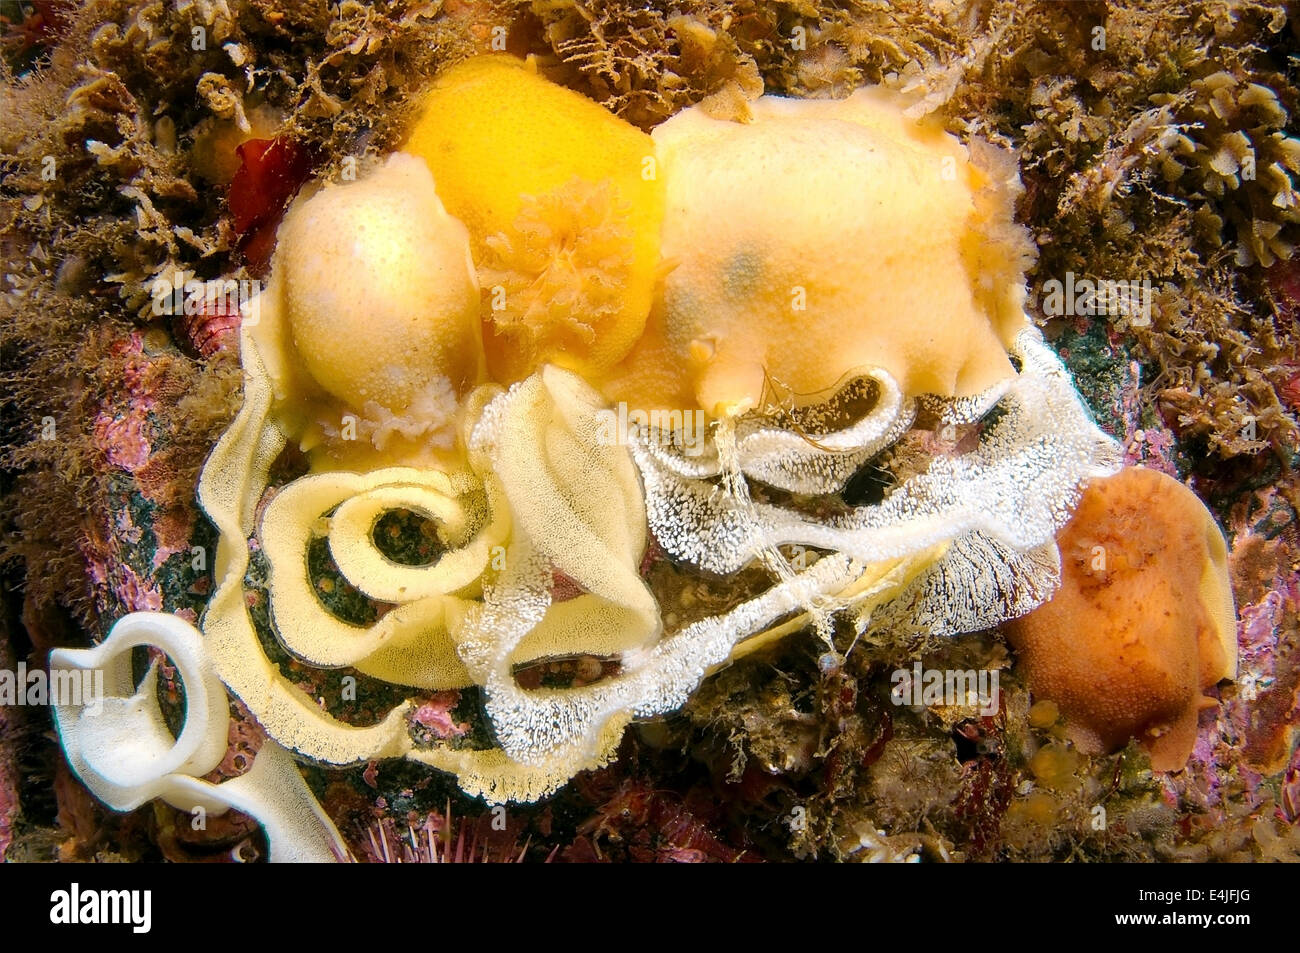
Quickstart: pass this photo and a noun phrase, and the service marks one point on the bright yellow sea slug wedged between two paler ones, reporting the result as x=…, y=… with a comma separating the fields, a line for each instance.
x=564, y=205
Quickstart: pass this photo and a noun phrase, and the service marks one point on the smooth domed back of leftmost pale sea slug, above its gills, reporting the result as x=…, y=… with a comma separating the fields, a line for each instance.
x=379, y=289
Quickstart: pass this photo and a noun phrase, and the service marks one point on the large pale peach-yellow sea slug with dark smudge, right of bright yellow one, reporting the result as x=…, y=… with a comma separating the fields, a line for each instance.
x=824, y=236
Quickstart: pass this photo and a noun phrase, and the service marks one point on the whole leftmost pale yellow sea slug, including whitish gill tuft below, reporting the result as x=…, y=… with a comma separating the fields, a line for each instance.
x=369, y=330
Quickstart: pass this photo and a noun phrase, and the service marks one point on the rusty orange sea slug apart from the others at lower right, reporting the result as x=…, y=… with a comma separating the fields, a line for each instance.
x=1143, y=623
